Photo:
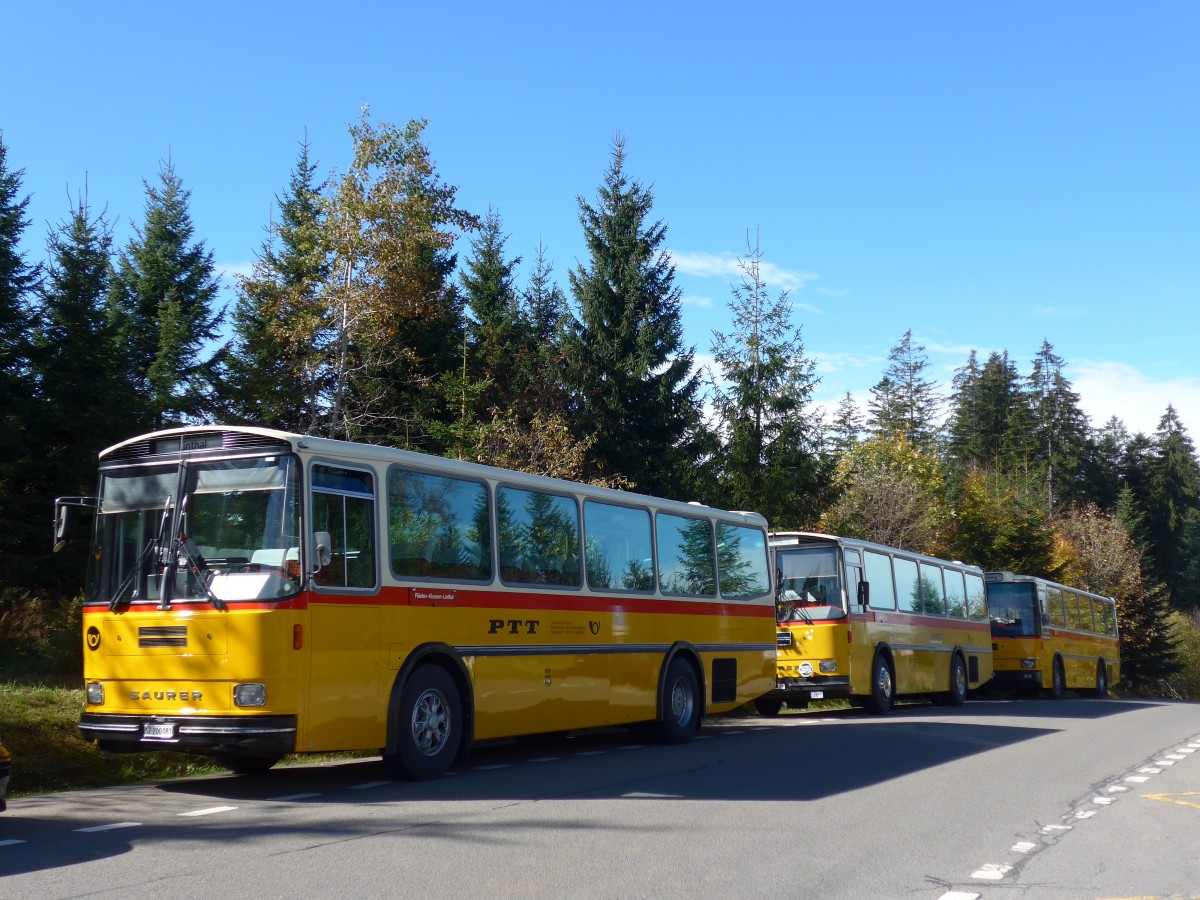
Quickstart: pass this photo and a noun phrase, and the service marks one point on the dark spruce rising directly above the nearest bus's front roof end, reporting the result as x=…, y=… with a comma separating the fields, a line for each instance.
x=161, y=304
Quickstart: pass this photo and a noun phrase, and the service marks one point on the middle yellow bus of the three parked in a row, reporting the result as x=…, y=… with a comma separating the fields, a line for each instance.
x=871, y=623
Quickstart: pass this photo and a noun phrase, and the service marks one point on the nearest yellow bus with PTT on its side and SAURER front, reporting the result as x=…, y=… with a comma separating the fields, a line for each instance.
x=255, y=593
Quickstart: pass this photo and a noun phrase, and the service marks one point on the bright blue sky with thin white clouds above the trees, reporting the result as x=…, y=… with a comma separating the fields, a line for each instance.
x=986, y=176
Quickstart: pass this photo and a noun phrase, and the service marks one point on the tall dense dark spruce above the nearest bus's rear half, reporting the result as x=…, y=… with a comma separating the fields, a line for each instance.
x=628, y=368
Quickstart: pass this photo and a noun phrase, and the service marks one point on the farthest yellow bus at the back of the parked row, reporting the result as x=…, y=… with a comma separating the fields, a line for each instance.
x=1051, y=638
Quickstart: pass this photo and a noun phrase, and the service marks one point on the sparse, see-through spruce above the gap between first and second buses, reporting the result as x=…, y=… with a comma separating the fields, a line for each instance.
x=771, y=452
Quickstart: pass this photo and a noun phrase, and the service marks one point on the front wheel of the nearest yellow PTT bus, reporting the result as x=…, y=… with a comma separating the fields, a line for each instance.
x=429, y=728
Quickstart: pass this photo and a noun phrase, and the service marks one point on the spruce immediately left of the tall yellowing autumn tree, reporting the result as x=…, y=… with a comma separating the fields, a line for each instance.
x=277, y=373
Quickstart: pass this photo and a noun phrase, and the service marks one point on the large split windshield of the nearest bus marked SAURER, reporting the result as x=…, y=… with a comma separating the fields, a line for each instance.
x=209, y=531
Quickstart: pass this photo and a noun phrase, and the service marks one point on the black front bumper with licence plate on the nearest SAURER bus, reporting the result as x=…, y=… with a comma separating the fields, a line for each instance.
x=261, y=735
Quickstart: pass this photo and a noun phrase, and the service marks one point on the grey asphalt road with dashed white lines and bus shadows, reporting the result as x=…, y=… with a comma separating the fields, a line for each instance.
x=1078, y=799
